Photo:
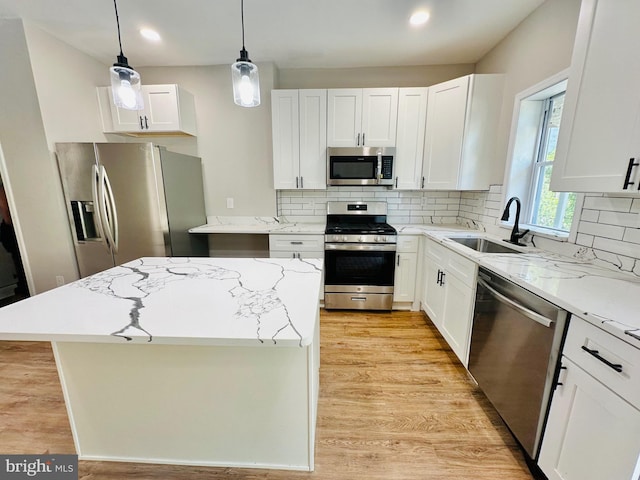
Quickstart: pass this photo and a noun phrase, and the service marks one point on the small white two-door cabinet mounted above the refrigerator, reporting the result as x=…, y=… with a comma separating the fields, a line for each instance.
x=168, y=109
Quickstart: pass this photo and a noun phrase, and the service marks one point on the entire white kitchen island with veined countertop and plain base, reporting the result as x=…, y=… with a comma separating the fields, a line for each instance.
x=195, y=361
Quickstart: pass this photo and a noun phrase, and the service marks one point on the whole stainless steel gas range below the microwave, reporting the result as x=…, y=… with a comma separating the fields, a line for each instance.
x=360, y=252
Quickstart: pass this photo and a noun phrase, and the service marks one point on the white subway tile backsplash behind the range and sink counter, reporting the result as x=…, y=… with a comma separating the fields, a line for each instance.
x=608, y=231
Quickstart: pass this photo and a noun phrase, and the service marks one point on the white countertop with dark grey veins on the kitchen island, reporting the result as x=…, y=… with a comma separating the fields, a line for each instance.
x=178, y=301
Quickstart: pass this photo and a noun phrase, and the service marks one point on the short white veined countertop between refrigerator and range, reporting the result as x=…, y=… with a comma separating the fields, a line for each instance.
x=264, y=225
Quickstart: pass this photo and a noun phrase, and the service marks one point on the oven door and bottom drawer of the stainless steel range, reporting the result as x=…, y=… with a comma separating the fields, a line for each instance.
x=359, y=276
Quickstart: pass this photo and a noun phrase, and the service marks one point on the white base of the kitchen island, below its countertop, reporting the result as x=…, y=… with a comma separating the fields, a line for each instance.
x=196, y=405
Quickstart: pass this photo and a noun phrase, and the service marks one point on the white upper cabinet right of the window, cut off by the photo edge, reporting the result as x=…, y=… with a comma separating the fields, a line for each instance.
x=599, y=141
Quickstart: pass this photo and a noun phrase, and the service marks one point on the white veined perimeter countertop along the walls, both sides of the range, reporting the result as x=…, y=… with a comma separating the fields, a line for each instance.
x=602, y=296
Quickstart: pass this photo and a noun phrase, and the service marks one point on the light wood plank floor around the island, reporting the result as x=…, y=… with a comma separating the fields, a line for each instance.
x=395, y=404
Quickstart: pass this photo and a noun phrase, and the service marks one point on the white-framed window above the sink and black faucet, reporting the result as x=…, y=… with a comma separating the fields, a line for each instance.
x=534, y=135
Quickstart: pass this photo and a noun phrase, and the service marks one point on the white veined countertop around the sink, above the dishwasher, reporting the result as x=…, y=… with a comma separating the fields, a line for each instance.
x=603, y=297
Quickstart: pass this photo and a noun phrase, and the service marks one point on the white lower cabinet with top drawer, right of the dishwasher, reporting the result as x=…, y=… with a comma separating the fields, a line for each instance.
x=593, y=428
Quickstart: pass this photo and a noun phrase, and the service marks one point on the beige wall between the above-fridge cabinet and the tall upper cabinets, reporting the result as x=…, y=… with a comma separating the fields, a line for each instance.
x=234, y=142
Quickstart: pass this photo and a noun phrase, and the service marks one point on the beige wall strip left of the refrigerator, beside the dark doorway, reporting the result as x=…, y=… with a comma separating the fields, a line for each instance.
x=29, y=171
